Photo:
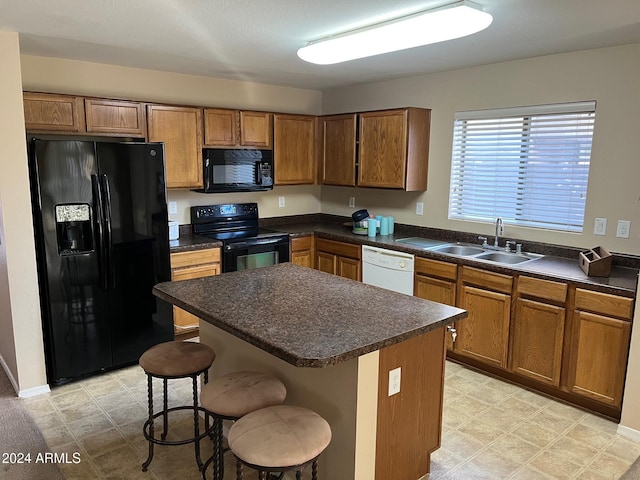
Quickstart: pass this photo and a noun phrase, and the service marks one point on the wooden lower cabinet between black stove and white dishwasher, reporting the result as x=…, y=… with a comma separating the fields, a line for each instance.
x=339, y=258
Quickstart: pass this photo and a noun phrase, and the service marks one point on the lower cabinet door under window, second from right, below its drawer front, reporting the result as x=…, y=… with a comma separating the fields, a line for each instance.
x=538, y=334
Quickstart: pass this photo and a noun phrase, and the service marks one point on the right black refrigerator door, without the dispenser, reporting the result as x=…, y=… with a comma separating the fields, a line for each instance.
x=133, y=184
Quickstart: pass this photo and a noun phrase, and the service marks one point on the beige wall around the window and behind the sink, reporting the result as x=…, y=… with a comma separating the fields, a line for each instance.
x=609, y=76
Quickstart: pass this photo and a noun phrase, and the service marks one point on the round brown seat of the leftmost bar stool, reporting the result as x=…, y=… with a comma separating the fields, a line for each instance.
x=177, y=359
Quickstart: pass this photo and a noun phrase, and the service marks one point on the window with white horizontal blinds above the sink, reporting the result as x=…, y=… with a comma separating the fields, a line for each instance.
x=528, y=165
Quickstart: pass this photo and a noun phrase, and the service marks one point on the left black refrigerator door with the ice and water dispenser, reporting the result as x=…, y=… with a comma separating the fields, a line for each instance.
x=65, y=213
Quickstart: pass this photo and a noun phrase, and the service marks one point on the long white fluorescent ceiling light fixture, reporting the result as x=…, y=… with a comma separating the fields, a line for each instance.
x=450, y=21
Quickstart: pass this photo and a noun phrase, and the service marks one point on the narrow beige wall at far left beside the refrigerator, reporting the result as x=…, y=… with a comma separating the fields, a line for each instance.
x=20, y=333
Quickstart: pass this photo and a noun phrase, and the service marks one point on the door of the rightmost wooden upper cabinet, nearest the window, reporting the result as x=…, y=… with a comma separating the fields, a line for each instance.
x=383, y=149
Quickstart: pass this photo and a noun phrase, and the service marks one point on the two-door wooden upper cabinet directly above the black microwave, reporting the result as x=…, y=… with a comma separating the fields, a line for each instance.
x=234, y=128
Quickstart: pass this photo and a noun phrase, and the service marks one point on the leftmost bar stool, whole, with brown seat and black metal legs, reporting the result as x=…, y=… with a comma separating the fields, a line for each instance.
x=173, y=360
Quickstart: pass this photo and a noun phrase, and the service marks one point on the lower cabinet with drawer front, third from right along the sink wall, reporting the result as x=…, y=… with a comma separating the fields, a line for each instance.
x=484, y=334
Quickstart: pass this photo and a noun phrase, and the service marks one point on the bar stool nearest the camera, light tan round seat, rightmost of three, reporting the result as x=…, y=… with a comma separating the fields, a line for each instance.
x=279, y=439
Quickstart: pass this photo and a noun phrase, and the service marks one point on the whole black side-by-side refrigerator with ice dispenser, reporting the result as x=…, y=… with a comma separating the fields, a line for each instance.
x=102, y=243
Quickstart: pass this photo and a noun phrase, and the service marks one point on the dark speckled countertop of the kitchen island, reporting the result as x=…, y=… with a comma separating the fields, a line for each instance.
x=306, y=317
